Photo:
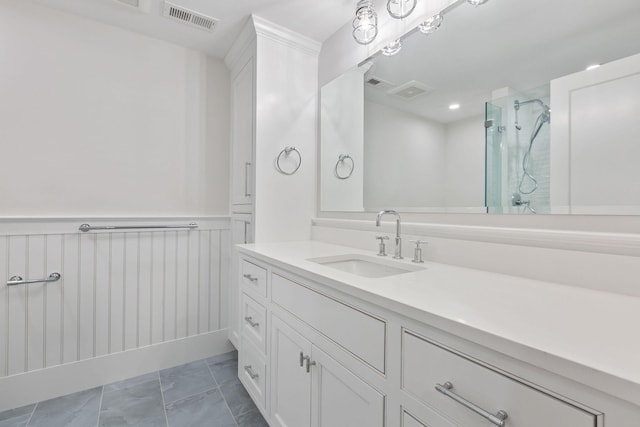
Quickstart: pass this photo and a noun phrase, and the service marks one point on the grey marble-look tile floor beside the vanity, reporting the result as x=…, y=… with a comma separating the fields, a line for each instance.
x=202, y=393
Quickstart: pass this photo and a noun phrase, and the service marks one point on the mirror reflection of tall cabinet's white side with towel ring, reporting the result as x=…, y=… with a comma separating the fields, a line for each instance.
x=342, y=132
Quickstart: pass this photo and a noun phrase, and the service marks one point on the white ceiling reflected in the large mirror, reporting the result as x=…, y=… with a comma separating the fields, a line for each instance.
x=505, y=43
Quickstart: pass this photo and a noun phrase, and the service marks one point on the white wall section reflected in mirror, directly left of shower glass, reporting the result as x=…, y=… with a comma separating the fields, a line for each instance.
x=464, y=163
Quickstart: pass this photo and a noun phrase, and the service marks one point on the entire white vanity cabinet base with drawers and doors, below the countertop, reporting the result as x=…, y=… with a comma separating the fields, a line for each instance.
x=319, y=354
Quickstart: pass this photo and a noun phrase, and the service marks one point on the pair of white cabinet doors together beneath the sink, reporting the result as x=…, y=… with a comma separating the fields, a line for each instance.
x=310, y=388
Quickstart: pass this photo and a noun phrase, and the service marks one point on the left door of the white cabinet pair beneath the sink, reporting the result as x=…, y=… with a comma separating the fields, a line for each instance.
x=290, y=382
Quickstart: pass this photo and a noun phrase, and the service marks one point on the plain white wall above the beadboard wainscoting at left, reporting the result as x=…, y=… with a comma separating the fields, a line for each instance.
x=98, y=121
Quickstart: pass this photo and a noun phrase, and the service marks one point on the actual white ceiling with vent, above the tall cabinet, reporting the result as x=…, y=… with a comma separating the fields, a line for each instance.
x=316, y=19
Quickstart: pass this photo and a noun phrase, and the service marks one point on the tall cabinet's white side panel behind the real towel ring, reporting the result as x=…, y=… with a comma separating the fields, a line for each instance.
x=286, y=115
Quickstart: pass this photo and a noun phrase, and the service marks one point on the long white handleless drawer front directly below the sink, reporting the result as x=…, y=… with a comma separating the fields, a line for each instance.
x=356, y=331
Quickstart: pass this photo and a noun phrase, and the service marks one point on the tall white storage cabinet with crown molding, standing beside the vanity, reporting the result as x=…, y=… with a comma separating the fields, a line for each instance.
x=274, y=88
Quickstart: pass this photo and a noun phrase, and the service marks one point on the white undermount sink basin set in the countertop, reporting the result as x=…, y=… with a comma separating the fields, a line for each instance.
x=365, y=266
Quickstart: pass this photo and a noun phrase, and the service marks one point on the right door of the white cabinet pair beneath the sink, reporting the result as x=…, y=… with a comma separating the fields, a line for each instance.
x=341, y=399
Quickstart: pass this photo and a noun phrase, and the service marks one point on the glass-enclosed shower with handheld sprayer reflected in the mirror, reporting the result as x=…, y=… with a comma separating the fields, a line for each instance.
x=518, y=139
